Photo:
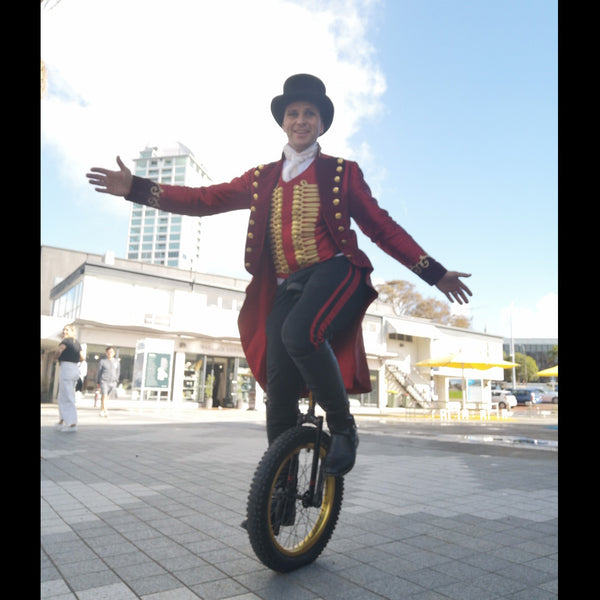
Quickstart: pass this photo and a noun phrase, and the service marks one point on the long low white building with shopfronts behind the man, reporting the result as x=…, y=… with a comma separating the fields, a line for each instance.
x=189, y=319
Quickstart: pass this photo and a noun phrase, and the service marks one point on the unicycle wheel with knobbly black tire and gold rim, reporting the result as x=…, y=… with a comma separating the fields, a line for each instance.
x=284, y=547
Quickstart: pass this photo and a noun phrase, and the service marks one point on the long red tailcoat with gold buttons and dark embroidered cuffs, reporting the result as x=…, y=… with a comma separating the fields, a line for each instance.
x=344, y=194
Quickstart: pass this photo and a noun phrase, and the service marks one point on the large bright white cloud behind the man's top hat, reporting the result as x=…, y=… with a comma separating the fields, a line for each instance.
x=124, y=74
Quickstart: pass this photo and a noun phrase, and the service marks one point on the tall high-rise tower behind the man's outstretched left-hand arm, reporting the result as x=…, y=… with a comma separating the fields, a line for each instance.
x=160, y=237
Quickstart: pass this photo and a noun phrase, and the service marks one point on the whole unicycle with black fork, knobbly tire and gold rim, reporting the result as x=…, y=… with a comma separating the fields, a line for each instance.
x=293, y=507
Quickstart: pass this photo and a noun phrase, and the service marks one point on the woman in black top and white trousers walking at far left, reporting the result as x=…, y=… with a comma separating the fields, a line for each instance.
x=68, y=354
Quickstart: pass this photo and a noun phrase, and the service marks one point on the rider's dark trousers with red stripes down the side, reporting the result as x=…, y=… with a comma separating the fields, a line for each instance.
x=309, y=308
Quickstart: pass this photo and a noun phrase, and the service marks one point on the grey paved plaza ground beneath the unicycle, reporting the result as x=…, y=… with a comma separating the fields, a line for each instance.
x=147, y=504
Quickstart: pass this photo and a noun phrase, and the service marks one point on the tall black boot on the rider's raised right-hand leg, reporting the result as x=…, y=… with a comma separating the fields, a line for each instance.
x=322, y=375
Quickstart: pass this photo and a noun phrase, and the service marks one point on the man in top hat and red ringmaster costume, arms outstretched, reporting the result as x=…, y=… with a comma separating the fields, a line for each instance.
x=300, y=324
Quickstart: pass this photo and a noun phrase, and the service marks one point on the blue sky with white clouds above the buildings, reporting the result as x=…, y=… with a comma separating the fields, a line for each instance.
x=450, y=107
